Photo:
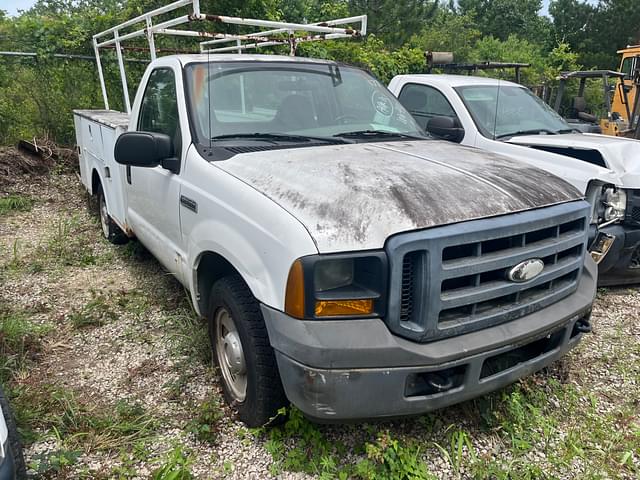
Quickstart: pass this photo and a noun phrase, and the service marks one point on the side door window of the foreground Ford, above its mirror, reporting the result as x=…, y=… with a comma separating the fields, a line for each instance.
x=159, y=109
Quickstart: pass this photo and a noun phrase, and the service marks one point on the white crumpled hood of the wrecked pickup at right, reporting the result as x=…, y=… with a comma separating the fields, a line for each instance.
x=621, y=155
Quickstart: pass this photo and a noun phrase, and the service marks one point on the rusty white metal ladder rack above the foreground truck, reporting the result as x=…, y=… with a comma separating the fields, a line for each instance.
x=277, y=33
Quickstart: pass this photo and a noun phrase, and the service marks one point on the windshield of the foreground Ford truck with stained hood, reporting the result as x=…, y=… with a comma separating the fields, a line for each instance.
x=290, y=100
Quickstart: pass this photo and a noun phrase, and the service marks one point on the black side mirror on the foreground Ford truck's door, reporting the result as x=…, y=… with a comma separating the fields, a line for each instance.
x=143, y=149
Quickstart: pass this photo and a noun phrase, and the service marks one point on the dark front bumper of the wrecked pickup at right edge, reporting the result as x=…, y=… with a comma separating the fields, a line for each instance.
x=620, y=266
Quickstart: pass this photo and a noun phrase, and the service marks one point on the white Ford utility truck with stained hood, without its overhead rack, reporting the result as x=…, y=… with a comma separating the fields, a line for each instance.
x=344, y=262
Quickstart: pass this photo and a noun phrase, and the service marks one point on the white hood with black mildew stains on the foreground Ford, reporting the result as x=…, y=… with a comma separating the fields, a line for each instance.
x=353, y=197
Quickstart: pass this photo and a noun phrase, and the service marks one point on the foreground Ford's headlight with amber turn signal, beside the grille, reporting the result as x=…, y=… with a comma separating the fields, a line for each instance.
x=337, y=286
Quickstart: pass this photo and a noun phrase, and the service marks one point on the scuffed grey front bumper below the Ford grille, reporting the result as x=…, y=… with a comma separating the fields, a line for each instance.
x=357, y=369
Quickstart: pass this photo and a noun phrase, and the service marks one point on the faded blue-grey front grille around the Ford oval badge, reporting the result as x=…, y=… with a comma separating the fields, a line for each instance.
x=451, y=280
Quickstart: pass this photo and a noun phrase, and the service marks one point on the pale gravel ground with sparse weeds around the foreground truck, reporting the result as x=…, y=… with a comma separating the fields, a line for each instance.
x=138, y=346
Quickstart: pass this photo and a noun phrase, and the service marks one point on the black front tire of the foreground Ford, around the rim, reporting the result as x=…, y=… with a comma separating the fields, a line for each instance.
x=264, y=392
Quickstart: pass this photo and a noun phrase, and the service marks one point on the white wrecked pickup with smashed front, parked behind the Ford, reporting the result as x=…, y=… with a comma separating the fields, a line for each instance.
x=506, y=118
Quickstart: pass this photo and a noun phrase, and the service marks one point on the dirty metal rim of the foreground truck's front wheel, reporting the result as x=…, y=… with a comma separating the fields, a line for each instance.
x=230, y=354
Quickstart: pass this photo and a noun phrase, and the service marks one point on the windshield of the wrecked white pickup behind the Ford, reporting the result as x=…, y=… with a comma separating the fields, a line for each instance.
x=504, y=111
